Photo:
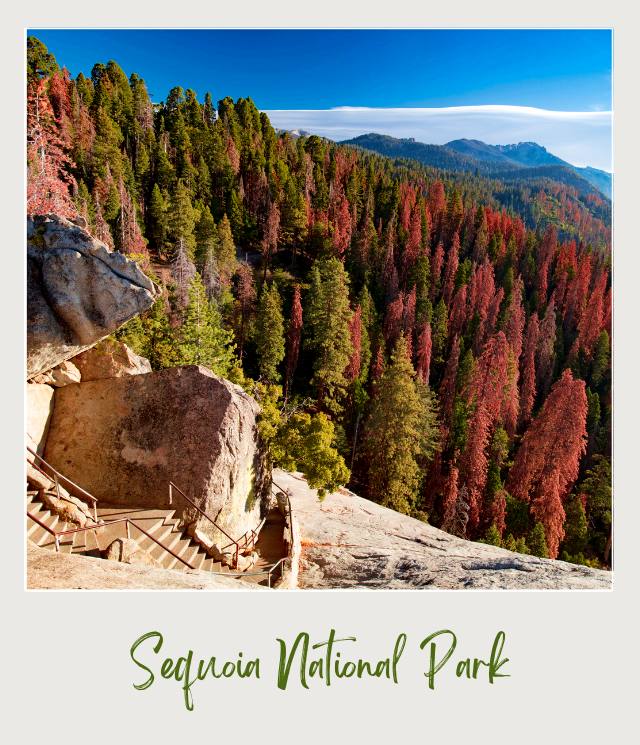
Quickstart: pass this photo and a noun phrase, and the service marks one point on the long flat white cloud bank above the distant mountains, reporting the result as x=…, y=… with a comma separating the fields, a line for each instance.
x=579, y=137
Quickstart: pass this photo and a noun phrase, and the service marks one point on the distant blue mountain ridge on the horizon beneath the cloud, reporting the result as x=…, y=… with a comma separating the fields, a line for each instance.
x=524, y=160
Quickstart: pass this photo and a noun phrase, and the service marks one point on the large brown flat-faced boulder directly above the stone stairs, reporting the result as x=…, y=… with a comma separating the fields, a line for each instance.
x=124, y=439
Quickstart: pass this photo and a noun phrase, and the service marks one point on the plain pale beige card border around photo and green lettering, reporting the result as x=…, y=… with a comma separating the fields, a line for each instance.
x=67, y=674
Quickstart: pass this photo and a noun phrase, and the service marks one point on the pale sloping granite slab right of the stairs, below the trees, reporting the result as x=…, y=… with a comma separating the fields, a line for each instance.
x=350, y=542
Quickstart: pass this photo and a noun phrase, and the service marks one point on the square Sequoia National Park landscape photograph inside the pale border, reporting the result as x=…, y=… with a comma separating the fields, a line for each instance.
x=318, y=309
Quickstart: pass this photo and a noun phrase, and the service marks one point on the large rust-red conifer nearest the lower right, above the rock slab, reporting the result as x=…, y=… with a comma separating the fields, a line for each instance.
x=547, y=462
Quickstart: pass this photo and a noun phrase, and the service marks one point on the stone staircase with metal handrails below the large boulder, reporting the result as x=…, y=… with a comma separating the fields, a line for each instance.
x=159, y=523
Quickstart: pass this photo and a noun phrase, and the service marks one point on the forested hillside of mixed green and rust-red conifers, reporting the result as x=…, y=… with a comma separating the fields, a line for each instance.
x=436, y=339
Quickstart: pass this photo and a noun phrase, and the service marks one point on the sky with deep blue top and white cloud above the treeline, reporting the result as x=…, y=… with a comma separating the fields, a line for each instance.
x=306, y=79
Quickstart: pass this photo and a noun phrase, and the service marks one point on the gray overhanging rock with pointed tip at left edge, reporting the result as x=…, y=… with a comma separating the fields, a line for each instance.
x=78, y=291
